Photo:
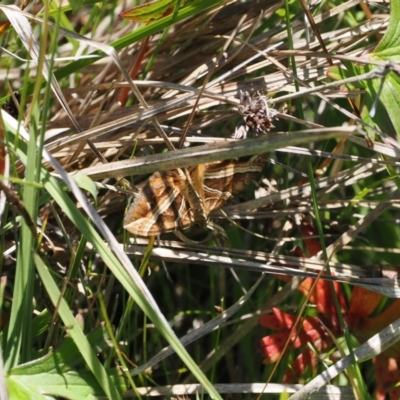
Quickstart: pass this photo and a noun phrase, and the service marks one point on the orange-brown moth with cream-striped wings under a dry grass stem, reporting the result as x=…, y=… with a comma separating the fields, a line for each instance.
x=179, y=198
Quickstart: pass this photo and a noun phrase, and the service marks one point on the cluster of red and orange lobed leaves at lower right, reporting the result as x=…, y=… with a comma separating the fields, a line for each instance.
x=314, y=330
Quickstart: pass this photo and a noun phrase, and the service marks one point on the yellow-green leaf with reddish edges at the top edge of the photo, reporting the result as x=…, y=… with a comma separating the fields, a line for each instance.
x=153, y=10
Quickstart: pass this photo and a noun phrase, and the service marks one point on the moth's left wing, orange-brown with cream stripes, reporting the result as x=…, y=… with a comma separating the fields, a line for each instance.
x=160, y=206
